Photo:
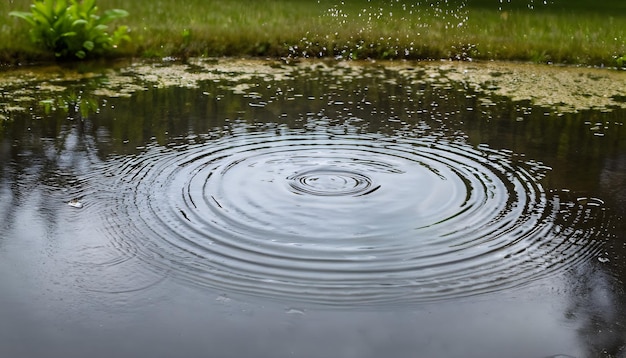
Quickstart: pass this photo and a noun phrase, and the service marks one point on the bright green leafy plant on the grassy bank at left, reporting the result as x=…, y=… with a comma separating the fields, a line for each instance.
x=73, y=29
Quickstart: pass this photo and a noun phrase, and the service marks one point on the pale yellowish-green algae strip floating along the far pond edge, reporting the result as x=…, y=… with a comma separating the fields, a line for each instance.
x=559, y=88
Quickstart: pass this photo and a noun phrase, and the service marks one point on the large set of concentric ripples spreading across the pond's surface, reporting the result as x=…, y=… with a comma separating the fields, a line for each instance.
x=352, y=219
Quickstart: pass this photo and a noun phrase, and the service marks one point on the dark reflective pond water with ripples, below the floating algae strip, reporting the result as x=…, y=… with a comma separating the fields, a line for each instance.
x=326, y=214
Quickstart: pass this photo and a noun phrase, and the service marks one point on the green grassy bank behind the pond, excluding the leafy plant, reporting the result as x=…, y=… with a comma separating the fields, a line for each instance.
x=561, y=32
